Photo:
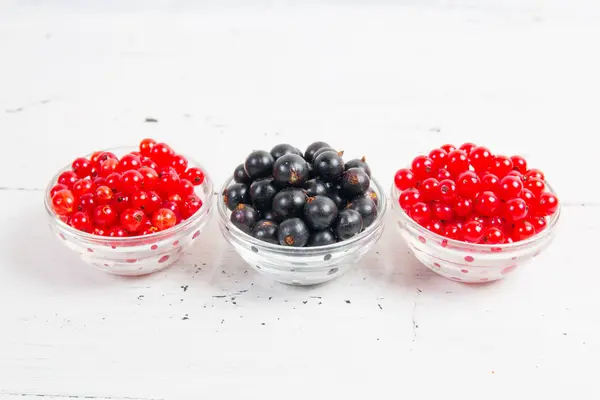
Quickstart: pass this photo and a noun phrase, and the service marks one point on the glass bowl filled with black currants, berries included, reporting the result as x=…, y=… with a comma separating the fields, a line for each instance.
x=302, y=218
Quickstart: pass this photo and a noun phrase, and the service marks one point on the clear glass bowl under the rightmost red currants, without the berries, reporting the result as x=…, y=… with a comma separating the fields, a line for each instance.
x=468, y=262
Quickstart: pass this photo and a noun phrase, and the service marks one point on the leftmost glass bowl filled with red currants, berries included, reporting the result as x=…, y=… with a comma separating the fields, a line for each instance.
x=130, y=210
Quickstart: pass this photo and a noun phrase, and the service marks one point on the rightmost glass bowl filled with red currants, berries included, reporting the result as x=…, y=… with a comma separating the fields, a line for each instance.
x=471, y=215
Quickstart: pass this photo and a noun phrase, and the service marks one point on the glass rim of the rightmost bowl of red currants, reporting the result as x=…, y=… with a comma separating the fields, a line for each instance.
x=395, y=192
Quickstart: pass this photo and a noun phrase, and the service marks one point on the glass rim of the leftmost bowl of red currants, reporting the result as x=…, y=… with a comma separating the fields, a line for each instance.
x=108, y=239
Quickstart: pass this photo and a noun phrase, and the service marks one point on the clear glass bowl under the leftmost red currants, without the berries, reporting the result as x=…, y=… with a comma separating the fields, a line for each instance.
x=133, y=256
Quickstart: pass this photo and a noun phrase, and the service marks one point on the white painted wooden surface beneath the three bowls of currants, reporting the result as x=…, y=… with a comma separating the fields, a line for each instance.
x=385, y=80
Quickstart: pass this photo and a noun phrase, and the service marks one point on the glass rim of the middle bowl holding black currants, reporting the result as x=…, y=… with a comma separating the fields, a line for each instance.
x=381, y=210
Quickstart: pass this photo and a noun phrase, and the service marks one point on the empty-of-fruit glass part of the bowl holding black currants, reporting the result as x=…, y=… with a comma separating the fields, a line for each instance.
x=302, y=265
